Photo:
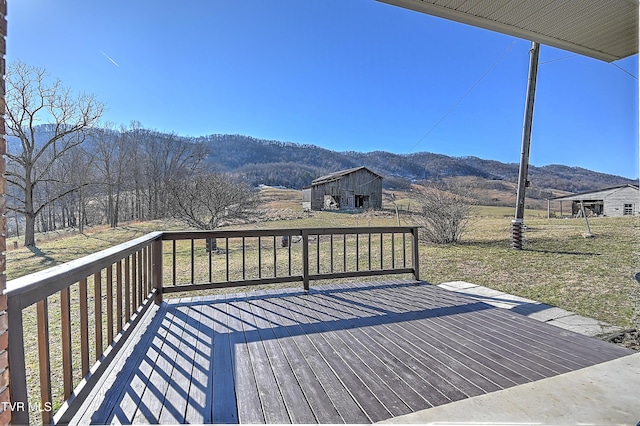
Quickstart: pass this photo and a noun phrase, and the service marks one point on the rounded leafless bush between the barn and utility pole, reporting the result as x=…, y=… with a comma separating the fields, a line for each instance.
x=445, y=209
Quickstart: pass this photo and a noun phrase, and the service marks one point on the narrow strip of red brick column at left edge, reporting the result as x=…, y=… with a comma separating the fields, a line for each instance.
x=5, y=390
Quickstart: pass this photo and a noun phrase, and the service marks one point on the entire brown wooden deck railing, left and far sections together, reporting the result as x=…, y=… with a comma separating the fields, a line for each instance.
x=94, y=303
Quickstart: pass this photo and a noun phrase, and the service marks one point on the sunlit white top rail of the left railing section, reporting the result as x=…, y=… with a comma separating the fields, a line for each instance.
x=34, y=287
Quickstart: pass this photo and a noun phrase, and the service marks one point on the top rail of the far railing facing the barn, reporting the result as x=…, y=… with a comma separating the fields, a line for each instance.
x=179, y=235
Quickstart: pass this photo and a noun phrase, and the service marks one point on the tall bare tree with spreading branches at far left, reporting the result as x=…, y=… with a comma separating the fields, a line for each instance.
x=31, y=101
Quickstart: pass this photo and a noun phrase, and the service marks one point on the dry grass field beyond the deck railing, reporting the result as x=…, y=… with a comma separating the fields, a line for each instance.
x=595, y=277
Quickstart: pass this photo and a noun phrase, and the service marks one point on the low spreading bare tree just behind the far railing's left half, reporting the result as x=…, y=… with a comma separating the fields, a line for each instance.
x=205, y=201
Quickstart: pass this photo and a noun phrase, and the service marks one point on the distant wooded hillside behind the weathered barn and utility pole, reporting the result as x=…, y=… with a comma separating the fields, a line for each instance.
x=294, y=166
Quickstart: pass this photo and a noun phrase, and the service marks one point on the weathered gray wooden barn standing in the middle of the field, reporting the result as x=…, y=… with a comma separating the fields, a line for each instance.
x=357, y=188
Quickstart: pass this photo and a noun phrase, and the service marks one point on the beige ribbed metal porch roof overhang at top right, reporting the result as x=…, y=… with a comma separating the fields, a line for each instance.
x=602, y=29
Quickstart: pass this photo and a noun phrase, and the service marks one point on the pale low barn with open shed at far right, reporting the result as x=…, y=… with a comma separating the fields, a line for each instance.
x=616, y=201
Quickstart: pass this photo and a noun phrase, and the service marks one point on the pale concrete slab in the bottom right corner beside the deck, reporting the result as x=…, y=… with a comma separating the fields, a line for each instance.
x=606, y=393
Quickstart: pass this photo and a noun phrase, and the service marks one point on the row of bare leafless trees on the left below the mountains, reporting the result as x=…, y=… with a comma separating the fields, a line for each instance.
x=73, y=172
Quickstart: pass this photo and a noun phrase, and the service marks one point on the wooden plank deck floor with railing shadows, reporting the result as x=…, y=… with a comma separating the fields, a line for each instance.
x=355, y=353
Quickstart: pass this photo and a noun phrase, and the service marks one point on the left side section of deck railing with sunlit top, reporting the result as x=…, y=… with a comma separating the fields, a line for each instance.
x=92, y=331
